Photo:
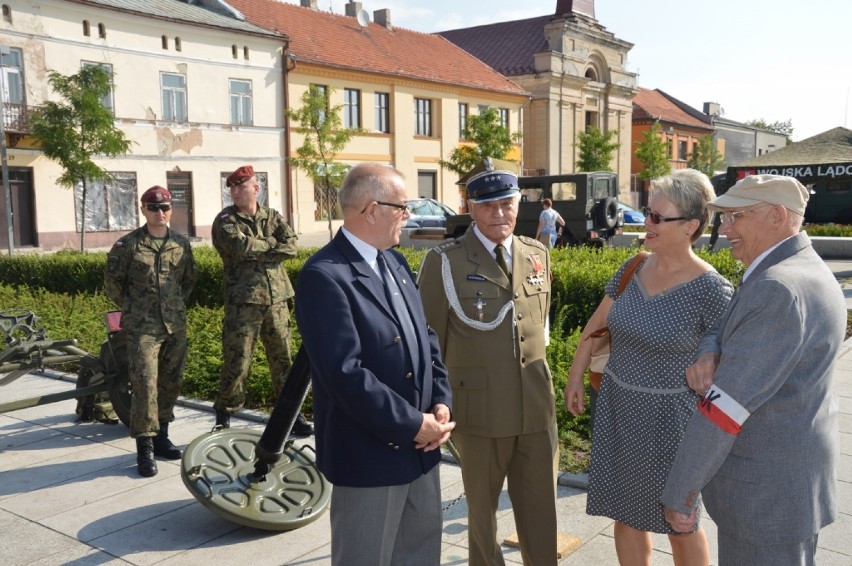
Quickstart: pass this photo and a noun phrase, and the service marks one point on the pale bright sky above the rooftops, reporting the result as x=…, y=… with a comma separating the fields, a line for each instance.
x=774, y=60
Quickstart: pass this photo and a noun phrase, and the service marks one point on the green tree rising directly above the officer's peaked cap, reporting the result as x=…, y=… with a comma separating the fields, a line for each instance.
x=490, y=139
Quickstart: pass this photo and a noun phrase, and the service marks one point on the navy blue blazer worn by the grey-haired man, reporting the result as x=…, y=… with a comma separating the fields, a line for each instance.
x=368, y=402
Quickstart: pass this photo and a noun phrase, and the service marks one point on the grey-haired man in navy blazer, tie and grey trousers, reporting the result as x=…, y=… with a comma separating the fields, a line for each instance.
x=381, y=396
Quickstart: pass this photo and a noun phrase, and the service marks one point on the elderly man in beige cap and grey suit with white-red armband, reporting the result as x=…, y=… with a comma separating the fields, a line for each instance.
x=762, y=446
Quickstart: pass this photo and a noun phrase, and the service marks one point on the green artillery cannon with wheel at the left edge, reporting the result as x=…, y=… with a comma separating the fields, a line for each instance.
x=27, y=347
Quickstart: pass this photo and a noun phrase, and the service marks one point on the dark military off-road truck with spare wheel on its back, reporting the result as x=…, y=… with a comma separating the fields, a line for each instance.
x=588, y=202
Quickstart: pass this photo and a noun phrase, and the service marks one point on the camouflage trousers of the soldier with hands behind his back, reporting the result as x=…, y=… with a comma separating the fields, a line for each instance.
x=155, y=363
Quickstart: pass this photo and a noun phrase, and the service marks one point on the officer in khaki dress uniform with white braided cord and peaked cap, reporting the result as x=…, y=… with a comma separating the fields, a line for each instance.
x=487, y=296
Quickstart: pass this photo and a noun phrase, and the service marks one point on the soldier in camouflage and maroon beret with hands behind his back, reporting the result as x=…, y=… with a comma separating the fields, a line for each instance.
x=149, y=274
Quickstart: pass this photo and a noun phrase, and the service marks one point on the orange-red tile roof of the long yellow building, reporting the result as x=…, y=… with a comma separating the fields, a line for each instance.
x=336, y=40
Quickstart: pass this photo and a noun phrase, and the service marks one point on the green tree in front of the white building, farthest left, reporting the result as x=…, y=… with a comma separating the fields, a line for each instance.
x=79, y=127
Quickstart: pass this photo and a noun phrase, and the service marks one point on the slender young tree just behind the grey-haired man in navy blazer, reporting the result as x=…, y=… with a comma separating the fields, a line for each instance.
x=325, y=137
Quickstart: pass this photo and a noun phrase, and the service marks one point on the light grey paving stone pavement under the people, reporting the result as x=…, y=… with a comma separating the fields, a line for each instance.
x=69, y=494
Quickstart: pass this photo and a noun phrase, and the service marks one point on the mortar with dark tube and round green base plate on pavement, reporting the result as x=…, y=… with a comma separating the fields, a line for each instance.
x=260, y=481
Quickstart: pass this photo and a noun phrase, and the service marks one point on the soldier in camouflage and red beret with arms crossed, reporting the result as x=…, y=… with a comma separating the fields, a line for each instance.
x=253, y=241
